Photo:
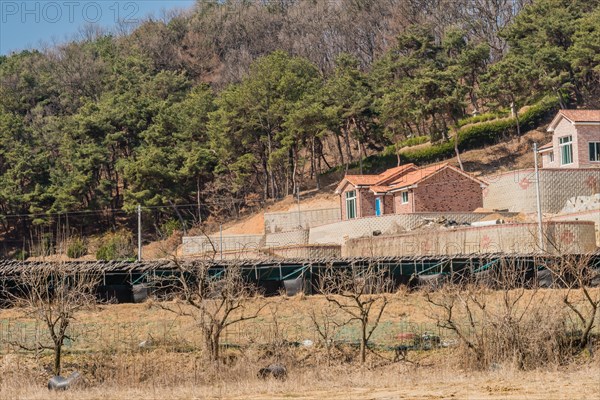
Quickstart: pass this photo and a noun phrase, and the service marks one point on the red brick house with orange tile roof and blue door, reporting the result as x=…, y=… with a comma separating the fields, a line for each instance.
x=408, y=189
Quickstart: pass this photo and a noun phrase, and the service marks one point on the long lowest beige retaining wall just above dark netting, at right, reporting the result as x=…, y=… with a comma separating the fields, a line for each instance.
x=561, y=237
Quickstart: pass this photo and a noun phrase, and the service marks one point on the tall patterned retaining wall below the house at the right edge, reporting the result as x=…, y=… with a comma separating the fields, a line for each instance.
x=516, y=190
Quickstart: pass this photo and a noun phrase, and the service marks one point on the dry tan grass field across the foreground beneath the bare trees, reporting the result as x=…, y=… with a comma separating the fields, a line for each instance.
x=106, y=350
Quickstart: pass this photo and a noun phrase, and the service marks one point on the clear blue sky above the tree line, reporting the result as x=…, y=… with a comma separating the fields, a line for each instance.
x=25, y=24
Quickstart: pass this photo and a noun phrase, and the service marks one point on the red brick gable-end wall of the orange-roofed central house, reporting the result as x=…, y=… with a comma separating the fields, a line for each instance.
x=448, y=190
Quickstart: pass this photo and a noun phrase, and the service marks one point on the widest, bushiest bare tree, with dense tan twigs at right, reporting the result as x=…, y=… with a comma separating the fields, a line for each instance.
x=501, y=320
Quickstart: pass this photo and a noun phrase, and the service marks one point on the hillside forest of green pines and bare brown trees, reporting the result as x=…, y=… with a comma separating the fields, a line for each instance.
x=238, y=102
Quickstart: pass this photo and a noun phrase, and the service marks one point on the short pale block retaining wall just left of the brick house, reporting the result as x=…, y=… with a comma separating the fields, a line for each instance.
x=305, y=219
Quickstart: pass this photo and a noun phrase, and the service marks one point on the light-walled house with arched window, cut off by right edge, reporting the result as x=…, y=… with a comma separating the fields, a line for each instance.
x=575, y=141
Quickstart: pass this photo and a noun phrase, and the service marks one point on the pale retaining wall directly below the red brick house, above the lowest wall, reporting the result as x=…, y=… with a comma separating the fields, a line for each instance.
x=387, y=224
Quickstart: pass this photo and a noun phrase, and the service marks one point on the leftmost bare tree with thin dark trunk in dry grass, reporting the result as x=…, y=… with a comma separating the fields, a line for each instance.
x=51, y=294
